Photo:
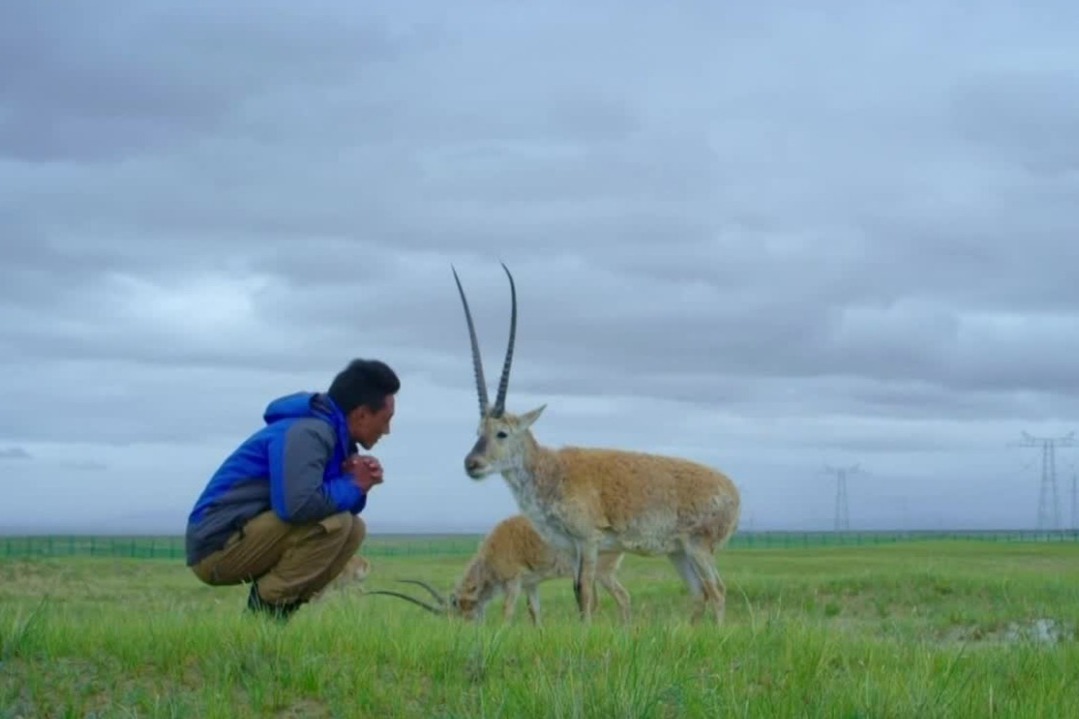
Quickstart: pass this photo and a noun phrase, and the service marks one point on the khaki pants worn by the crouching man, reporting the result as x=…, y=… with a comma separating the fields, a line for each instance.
x=291, y=562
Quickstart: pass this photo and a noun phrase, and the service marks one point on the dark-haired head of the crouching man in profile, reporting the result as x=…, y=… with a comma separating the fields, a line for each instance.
x=365, y=392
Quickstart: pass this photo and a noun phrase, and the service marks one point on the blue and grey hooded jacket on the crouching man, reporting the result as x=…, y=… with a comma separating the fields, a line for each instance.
x=292, y=466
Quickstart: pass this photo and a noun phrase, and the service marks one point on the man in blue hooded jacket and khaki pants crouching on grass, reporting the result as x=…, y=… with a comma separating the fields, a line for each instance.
x=282, y=511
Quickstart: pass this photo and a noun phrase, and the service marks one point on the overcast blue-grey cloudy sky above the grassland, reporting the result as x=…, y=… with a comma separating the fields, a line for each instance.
x=770, y=237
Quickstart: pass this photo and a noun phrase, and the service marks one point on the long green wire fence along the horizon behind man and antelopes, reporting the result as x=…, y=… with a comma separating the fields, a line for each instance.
x=172, y=548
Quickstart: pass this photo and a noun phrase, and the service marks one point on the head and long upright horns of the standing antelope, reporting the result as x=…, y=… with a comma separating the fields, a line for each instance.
x=502, y=437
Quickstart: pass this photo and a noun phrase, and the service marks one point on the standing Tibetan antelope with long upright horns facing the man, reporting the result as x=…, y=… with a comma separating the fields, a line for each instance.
x=586, y=500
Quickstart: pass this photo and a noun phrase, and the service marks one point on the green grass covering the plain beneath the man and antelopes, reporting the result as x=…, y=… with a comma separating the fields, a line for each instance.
x=948, y=629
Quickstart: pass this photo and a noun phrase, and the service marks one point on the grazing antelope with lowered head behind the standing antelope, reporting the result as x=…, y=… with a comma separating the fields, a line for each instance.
x=511, y=559
